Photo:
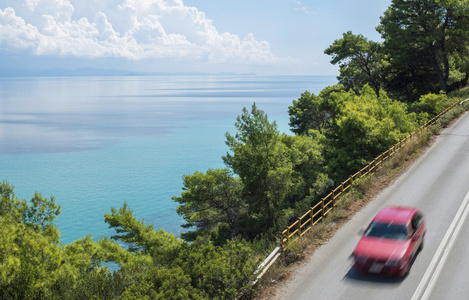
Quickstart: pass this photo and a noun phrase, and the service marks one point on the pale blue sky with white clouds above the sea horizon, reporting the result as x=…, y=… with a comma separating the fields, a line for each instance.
x=265, y=37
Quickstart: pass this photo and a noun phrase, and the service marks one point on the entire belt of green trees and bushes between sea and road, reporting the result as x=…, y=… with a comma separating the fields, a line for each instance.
x=233, y=215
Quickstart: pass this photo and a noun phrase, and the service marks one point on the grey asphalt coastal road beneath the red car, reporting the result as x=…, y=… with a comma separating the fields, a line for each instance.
x=438, y=184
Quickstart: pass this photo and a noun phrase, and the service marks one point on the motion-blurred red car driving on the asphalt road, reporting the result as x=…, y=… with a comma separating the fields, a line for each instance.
x=390, y=242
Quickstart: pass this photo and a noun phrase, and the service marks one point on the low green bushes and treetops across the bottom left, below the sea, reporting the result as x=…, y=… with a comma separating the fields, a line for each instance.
x=156, y=265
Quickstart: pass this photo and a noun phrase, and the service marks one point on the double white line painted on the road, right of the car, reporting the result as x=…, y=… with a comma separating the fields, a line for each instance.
x=428, y=281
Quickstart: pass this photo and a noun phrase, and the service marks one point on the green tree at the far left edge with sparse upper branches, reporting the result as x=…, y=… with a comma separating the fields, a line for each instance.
x=30, y=256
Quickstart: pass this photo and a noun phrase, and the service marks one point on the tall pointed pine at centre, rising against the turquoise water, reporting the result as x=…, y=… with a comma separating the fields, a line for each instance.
x=260, y=160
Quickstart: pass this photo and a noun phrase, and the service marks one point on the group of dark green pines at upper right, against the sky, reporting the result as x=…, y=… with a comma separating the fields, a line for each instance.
x=424, y=50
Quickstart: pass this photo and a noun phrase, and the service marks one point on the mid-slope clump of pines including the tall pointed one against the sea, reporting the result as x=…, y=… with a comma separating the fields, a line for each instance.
x=269, y=177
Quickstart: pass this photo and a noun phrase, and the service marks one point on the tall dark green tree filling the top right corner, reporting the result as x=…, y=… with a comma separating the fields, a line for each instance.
x=423, y=38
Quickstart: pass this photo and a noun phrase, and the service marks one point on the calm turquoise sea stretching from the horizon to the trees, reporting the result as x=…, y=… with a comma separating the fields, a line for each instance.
x=95, y=143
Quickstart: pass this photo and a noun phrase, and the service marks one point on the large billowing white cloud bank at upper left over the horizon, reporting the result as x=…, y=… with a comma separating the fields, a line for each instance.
x=131, y=29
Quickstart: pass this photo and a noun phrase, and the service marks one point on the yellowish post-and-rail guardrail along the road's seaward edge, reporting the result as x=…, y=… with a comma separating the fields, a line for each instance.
x=326, y=204
